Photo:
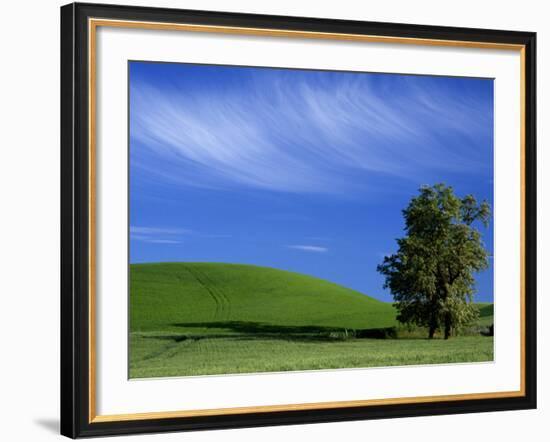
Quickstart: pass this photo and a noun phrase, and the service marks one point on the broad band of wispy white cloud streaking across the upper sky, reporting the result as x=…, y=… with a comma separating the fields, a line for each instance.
x=297, y=131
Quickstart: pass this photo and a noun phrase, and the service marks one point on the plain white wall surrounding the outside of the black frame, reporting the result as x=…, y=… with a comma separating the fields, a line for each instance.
x=29, y=220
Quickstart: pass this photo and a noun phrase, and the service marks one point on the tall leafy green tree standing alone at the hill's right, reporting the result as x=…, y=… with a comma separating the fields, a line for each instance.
x=431, y=275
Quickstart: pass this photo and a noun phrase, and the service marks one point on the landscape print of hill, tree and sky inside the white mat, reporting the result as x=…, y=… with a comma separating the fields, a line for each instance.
x=291, y=219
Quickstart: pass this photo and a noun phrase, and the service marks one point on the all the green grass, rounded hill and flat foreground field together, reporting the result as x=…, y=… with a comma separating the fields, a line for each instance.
x=209, y=318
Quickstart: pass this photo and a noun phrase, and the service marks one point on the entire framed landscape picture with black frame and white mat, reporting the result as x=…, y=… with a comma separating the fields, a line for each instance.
x=274, y=220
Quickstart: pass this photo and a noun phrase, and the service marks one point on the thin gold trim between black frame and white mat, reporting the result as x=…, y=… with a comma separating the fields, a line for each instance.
x=93, y=24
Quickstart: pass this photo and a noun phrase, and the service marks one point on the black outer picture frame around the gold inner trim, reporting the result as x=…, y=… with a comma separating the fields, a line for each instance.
x=75, y=221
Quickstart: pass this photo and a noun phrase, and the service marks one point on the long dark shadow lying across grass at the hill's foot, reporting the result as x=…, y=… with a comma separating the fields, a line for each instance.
x=248, y=330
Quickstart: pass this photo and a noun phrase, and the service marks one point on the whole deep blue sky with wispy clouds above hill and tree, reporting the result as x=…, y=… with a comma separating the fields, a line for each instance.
x=300, y=170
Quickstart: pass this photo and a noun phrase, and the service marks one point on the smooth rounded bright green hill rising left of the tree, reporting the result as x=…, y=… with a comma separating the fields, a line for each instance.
x=171, y=296
